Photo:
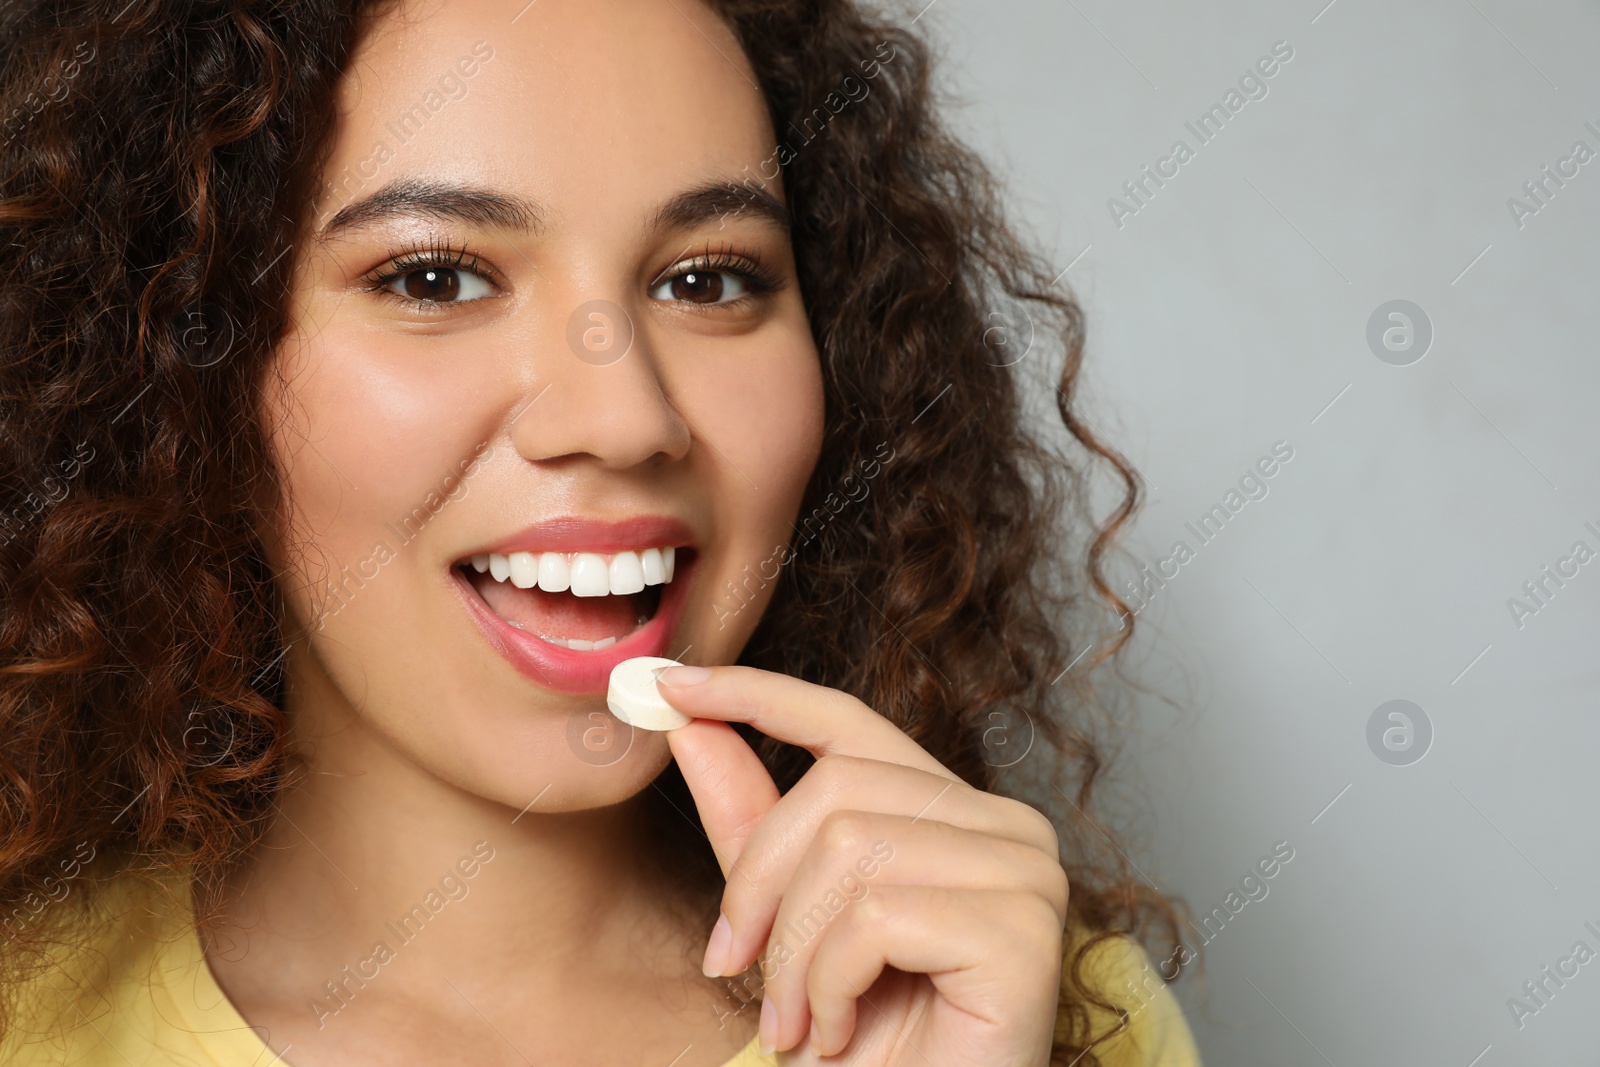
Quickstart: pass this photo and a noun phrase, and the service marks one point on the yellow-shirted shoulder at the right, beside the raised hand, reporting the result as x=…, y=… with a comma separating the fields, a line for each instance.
x=1148, y=1026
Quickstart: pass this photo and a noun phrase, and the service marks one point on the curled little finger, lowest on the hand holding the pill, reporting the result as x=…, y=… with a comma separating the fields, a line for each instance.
x=993, y=956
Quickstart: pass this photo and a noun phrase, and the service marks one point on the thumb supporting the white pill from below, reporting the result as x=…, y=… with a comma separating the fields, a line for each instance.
x=729, y=781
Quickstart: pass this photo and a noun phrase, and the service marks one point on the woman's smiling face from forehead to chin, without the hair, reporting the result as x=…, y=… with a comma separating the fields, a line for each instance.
x=548, y=322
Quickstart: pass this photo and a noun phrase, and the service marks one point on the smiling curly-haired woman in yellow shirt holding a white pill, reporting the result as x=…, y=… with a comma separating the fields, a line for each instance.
x=407, y=367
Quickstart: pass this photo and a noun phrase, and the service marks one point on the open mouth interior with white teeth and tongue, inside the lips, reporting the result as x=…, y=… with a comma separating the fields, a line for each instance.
x=575, y=601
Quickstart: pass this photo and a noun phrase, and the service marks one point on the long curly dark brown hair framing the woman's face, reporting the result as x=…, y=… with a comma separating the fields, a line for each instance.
x=150, y=196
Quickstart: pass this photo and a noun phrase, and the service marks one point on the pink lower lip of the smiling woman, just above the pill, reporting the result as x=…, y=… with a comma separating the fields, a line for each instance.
x=567, y=669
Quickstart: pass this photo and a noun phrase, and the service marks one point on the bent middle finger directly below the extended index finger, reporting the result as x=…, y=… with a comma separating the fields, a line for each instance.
x=778, y=845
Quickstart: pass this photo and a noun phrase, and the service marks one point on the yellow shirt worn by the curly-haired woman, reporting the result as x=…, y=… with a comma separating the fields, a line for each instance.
x=132, y=989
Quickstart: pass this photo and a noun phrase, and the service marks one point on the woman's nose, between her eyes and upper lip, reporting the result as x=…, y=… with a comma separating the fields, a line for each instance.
x=602, y=396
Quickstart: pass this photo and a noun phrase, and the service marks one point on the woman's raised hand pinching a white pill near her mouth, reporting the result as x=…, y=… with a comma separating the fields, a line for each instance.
x=879, y=858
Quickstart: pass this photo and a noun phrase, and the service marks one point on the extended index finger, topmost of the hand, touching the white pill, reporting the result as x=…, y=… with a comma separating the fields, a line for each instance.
x=815, y=717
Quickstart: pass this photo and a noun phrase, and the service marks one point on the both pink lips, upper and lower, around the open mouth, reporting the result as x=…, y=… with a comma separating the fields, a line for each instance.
x=566, y=669
